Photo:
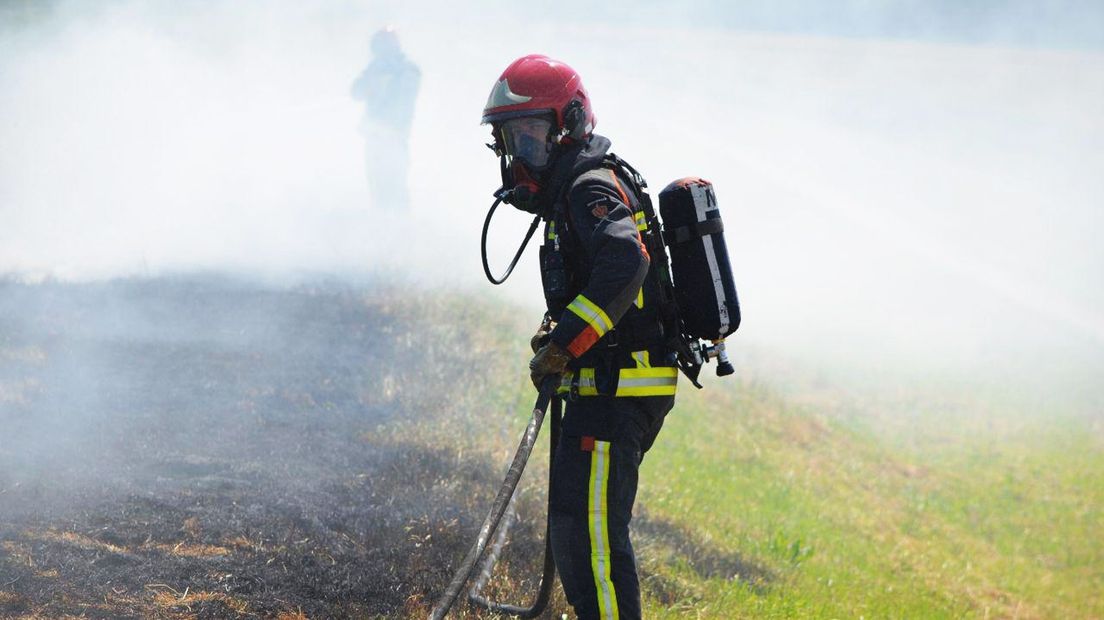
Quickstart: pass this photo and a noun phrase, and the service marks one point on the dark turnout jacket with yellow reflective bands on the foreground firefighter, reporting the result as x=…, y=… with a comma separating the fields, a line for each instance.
x=607, y=307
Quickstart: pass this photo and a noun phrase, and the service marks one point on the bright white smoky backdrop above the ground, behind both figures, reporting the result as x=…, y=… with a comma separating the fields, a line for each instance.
x=899, y=180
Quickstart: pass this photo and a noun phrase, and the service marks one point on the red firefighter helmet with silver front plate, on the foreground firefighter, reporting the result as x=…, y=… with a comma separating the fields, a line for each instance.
x=537, y=84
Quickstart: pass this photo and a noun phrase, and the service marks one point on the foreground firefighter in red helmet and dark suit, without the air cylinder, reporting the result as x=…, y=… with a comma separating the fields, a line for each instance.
x=603, y=334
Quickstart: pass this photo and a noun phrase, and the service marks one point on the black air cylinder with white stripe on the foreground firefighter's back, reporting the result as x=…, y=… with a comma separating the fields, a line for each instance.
x=694, y=232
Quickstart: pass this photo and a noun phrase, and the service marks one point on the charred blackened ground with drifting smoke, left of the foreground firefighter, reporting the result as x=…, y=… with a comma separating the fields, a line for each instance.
x=201, y=447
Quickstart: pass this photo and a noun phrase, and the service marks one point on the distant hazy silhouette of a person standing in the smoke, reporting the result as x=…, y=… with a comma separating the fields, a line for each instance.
x=388, y=87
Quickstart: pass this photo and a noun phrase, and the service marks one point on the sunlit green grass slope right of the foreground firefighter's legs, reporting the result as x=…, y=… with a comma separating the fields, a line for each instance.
x=985, y=514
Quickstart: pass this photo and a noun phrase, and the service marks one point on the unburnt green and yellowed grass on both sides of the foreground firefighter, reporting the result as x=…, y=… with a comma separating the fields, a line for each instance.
x=803, y=497
